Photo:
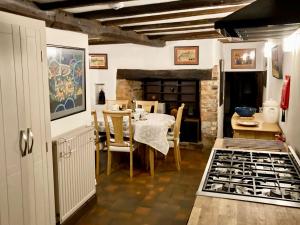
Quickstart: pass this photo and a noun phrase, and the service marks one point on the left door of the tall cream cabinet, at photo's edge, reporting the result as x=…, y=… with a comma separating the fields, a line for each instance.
x=11, y=194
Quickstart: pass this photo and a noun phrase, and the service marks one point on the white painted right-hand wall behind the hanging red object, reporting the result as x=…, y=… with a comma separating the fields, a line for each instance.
x=291, y=66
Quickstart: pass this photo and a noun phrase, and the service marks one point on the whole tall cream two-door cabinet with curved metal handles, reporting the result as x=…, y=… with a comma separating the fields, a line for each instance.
x=26, y=182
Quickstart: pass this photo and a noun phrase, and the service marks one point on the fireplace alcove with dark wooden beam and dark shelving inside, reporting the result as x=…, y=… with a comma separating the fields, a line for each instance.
x=172, y=87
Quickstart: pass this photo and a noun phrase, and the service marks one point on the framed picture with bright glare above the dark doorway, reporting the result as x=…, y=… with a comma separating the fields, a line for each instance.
x=243, y=58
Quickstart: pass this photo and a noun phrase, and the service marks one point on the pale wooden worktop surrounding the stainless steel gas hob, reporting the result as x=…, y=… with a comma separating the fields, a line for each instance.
x=219, y=211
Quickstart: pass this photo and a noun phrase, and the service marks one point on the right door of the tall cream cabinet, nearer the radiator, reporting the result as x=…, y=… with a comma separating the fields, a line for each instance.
x=33, y=84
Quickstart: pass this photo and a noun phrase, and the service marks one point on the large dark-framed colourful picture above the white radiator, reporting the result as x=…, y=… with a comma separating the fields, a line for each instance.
x=66, y=75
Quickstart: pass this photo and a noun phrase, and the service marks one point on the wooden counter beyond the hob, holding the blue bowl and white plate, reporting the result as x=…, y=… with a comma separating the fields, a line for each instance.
x=264, y=130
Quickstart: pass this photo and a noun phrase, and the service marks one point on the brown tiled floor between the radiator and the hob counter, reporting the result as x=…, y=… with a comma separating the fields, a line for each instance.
x=163, y=200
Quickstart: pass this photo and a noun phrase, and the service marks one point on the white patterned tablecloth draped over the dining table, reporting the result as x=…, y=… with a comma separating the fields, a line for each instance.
x=152, y=131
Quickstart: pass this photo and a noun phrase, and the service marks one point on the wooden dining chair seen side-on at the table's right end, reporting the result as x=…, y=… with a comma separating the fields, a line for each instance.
x=174, y=137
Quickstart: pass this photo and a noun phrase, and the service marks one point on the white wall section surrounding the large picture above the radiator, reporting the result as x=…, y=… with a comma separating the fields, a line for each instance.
x=78, y=40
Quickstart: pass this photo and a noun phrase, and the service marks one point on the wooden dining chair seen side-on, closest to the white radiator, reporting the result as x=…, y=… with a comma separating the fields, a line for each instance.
x=99, y=138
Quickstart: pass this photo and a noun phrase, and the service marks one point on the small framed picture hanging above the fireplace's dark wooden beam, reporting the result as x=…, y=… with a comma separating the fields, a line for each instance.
x=186, y=55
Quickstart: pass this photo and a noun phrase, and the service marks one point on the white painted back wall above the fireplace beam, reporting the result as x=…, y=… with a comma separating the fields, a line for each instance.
x=131, y=56
